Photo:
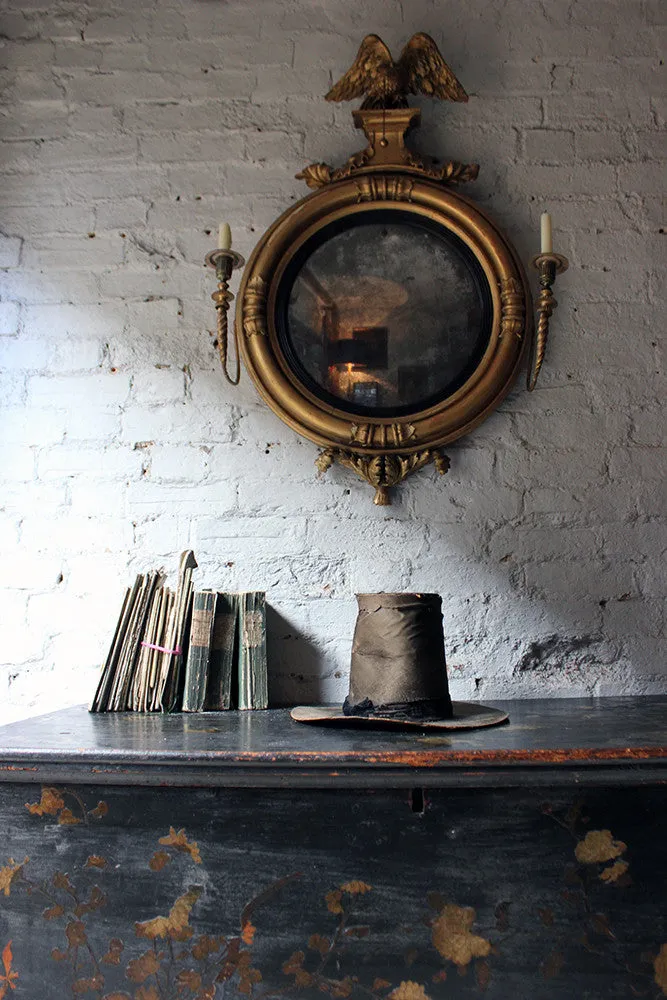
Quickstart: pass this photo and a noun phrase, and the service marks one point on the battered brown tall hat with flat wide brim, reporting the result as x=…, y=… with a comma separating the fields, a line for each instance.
x=398, y=672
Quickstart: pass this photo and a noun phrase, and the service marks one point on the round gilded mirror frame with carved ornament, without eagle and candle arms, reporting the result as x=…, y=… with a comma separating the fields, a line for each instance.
x=386, y=175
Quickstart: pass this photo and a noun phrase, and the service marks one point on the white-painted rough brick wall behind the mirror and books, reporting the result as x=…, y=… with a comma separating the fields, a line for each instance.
x=130, y=131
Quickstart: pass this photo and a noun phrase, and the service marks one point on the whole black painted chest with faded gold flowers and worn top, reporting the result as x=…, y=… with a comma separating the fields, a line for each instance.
x=243, y=854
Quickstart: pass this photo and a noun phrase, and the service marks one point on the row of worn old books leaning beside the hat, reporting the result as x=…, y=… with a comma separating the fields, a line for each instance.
x=185, y=650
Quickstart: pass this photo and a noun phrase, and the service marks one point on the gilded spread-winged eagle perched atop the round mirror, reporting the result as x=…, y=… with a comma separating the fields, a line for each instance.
x=385, y=84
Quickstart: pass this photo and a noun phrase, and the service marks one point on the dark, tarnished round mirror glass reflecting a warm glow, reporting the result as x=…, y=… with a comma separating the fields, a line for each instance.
x=383, y=313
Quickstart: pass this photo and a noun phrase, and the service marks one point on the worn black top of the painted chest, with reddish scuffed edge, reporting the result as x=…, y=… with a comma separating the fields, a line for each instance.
x=548, y=741
